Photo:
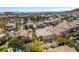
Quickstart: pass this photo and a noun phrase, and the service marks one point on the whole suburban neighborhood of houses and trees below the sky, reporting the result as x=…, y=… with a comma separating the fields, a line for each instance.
x=36, y=32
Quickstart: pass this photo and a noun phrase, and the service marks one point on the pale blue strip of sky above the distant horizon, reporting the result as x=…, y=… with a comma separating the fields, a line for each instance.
x=34, y=9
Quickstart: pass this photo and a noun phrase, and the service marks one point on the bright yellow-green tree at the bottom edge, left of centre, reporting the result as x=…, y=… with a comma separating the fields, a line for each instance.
x=35, y=46
